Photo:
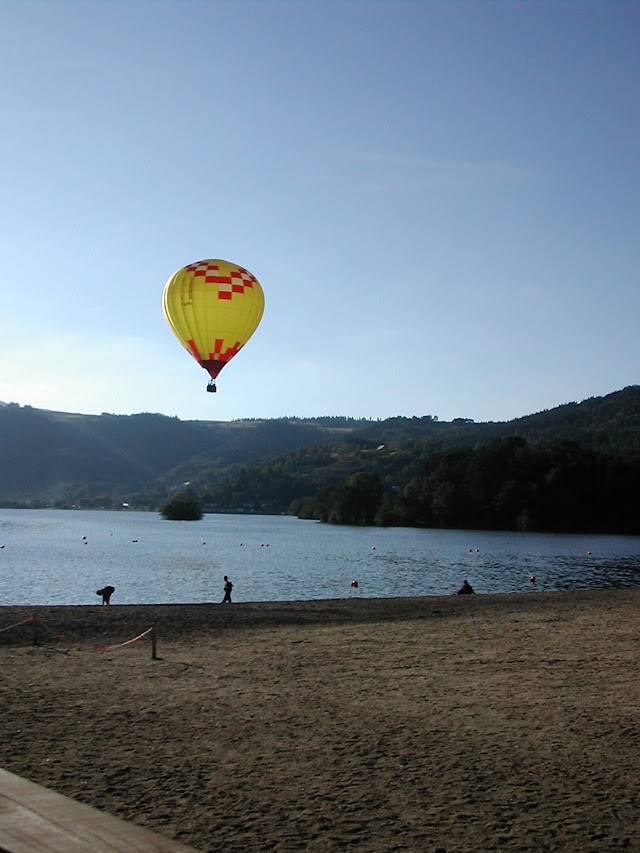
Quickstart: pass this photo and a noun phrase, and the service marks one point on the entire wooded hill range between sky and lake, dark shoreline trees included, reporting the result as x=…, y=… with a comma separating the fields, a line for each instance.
x=573, y=467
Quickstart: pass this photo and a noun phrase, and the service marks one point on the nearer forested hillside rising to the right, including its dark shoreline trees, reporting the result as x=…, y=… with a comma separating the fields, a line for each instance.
x=575, y=468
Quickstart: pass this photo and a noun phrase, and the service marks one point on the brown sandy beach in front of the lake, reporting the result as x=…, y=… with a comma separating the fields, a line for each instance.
x=475, y=723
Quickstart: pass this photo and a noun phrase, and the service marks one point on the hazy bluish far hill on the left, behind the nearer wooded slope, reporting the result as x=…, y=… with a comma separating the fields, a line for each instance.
x=55, y=458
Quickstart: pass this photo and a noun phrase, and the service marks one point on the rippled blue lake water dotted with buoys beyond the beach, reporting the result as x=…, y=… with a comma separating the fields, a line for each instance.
x=63, y=556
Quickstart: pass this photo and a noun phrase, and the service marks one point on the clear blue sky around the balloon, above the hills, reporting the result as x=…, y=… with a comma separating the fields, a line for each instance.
x=441, y=201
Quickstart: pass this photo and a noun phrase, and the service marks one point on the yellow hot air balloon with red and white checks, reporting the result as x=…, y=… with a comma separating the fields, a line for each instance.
x=213, y=307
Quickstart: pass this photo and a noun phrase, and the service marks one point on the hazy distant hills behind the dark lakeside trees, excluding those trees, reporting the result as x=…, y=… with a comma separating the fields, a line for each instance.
x=62, y=459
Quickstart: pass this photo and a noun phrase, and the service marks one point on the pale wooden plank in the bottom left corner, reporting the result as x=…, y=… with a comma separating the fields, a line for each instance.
x=34, y=819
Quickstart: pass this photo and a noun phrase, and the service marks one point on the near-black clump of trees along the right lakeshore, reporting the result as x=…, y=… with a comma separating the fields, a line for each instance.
x=506, y=485
